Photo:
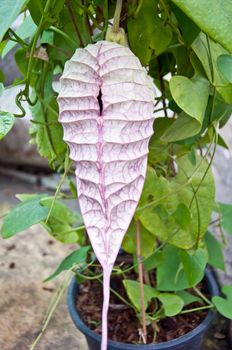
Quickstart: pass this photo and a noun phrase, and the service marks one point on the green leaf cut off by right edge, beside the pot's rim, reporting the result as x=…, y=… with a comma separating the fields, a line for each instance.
x=224, y=305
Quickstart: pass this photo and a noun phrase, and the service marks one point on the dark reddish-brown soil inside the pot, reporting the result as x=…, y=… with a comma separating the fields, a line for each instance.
x=123, y=325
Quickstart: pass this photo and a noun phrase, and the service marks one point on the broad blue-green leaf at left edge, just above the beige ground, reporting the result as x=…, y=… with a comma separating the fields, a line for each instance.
x=23, y=216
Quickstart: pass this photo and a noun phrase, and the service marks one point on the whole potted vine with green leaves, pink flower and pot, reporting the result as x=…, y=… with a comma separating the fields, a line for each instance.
x=156, y=205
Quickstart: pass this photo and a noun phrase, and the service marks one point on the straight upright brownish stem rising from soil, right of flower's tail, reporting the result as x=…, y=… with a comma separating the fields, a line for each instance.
x=140, y=270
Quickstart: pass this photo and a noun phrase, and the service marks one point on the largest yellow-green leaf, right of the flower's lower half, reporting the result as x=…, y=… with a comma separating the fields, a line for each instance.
x=167, y=199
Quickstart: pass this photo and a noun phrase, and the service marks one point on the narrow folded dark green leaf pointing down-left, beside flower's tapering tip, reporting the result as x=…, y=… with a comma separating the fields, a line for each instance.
x=77, y=257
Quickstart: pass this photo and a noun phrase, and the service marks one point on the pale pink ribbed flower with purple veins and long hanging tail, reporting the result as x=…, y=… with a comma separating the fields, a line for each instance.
x=106, y=109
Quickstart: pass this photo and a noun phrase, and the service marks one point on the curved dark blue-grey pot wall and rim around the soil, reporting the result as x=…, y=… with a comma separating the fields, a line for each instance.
x=200, y=329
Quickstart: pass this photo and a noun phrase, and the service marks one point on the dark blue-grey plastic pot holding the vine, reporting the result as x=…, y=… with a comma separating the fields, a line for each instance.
x=189, y=341
